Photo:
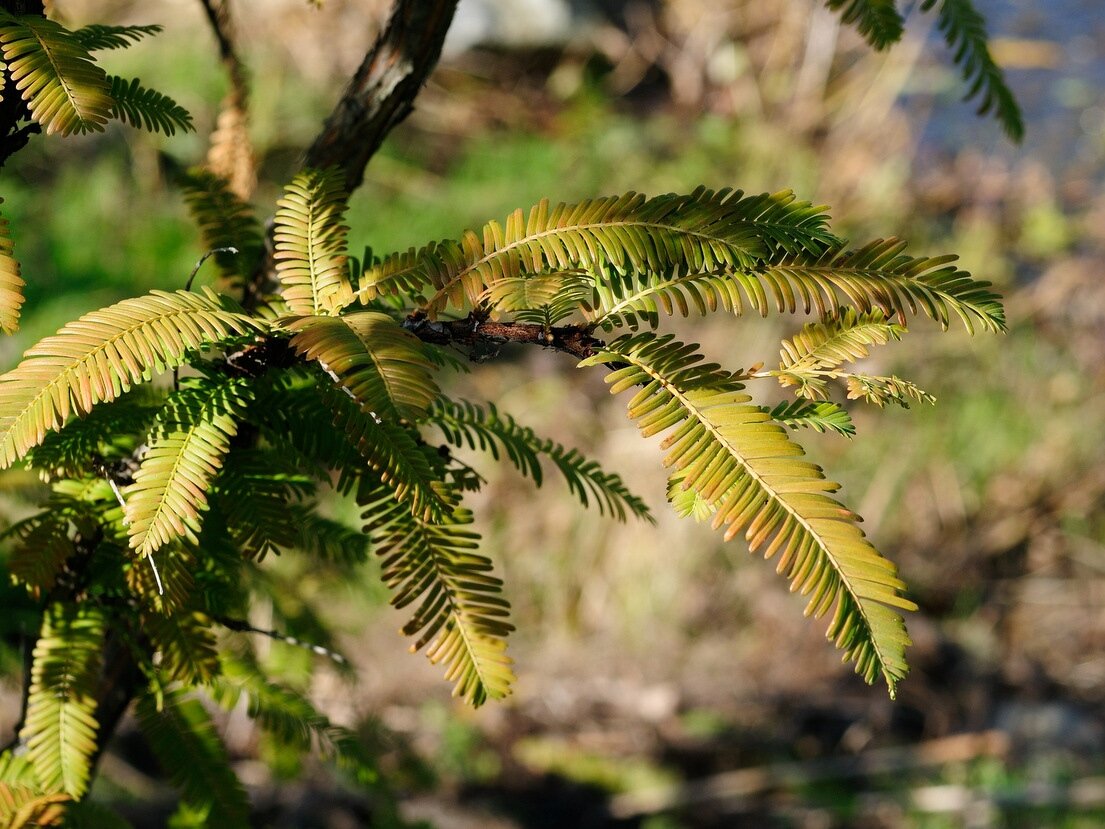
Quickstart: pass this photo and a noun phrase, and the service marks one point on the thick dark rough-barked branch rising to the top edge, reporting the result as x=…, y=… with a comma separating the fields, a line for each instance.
x=382, y=92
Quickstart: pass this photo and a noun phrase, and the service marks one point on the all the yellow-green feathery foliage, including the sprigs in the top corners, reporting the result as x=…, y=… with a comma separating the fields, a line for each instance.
x=187, y=435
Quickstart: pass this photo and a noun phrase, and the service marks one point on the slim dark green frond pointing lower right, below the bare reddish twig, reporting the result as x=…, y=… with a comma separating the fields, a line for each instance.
x=489, y=431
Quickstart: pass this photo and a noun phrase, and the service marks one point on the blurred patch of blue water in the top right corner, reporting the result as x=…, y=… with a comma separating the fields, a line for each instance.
x=1065, y=104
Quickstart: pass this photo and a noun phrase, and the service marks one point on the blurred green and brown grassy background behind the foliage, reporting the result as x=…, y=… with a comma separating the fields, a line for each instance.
x=668, y=680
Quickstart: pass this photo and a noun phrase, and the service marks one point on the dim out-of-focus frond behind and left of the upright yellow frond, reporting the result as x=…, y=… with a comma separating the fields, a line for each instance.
x=225, y=222
